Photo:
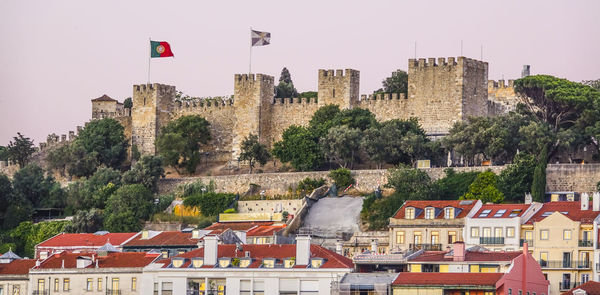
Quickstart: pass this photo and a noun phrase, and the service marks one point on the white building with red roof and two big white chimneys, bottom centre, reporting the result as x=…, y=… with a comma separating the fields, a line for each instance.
x=247, y=269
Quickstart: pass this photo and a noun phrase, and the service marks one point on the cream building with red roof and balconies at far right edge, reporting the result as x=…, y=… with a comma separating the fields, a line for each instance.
x=563, y=236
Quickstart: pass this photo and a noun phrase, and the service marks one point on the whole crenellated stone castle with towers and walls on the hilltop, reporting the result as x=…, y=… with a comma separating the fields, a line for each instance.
x=441, y=92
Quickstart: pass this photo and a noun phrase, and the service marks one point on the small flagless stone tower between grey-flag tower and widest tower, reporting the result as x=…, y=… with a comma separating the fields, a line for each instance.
x=339, y=88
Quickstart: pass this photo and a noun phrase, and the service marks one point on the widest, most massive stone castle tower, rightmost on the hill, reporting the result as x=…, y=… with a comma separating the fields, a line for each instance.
x=444, y=92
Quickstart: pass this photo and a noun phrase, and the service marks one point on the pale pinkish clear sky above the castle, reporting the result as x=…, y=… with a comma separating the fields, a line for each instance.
x=55, y=56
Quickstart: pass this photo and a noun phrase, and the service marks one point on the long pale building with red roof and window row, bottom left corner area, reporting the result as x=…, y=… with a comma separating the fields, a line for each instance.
x=112, y=273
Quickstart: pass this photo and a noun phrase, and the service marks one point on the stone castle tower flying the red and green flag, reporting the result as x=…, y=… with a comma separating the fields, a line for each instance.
x=152, y=106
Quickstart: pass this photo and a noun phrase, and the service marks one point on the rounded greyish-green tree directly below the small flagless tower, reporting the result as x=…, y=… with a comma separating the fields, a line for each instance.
x=341, y=144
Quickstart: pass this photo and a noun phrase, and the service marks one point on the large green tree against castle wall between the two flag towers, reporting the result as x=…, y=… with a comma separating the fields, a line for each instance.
x=179, y=142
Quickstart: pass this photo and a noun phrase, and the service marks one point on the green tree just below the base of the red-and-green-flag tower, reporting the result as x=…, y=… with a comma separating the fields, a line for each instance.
x=147, y=171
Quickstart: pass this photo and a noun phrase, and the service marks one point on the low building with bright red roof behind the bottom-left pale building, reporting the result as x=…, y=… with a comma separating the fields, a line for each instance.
x=80, y=242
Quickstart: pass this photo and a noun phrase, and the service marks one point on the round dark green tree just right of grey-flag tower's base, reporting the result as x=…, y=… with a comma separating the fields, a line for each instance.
x=300, y=147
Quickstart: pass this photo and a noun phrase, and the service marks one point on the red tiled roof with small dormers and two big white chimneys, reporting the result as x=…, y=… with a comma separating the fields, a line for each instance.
x=258, y=252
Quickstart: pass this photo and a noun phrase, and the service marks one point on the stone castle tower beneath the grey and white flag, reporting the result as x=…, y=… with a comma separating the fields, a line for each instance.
x=253, y=98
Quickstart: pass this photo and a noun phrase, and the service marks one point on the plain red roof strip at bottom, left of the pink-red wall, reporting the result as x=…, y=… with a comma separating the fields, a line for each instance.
x=454, y=279
